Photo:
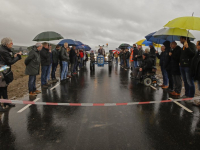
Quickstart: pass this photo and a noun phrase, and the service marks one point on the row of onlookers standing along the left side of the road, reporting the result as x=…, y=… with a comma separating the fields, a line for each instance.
x=71, y=60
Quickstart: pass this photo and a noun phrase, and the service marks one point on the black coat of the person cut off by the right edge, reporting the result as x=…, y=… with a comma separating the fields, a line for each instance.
x=195, y=67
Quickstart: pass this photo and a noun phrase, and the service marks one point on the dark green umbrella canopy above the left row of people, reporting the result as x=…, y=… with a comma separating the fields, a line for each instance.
x=48, y=36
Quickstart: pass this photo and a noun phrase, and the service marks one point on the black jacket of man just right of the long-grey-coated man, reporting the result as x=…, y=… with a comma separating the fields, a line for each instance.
x=45, y=57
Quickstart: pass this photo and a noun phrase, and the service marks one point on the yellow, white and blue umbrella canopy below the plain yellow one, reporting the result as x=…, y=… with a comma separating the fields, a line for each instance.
x=173, y=34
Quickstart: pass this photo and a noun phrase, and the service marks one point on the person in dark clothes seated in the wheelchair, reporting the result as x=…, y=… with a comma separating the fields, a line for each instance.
x=146, y=66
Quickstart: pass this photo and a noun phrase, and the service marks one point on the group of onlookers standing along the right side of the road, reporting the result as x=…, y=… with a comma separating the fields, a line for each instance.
x=177, y=65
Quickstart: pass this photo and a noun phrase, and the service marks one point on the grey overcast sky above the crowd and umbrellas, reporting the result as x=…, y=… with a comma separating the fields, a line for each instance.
x=94, y=22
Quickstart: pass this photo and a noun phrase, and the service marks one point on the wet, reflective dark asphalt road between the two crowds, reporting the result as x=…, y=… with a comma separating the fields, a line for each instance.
x=141, y=127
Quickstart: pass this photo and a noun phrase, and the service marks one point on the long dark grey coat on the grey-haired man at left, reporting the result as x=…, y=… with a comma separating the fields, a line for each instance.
x=32, y=62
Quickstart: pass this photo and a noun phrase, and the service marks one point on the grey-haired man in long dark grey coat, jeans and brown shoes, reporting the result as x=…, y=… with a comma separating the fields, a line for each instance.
x=32, y=63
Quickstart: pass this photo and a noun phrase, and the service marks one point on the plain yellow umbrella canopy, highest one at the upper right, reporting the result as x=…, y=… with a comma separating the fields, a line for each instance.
x=190, y=23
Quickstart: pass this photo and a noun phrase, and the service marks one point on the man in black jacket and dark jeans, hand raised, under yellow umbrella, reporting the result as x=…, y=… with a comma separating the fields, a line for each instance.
x=187, y=53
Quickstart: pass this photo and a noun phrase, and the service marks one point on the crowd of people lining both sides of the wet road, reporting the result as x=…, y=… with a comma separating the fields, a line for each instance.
x=177, y=65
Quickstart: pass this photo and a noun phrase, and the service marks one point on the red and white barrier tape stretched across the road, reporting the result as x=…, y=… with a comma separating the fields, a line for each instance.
x=95, y=104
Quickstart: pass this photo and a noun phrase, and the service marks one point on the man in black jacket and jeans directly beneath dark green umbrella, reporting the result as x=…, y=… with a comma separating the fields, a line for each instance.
x=45, y=63
